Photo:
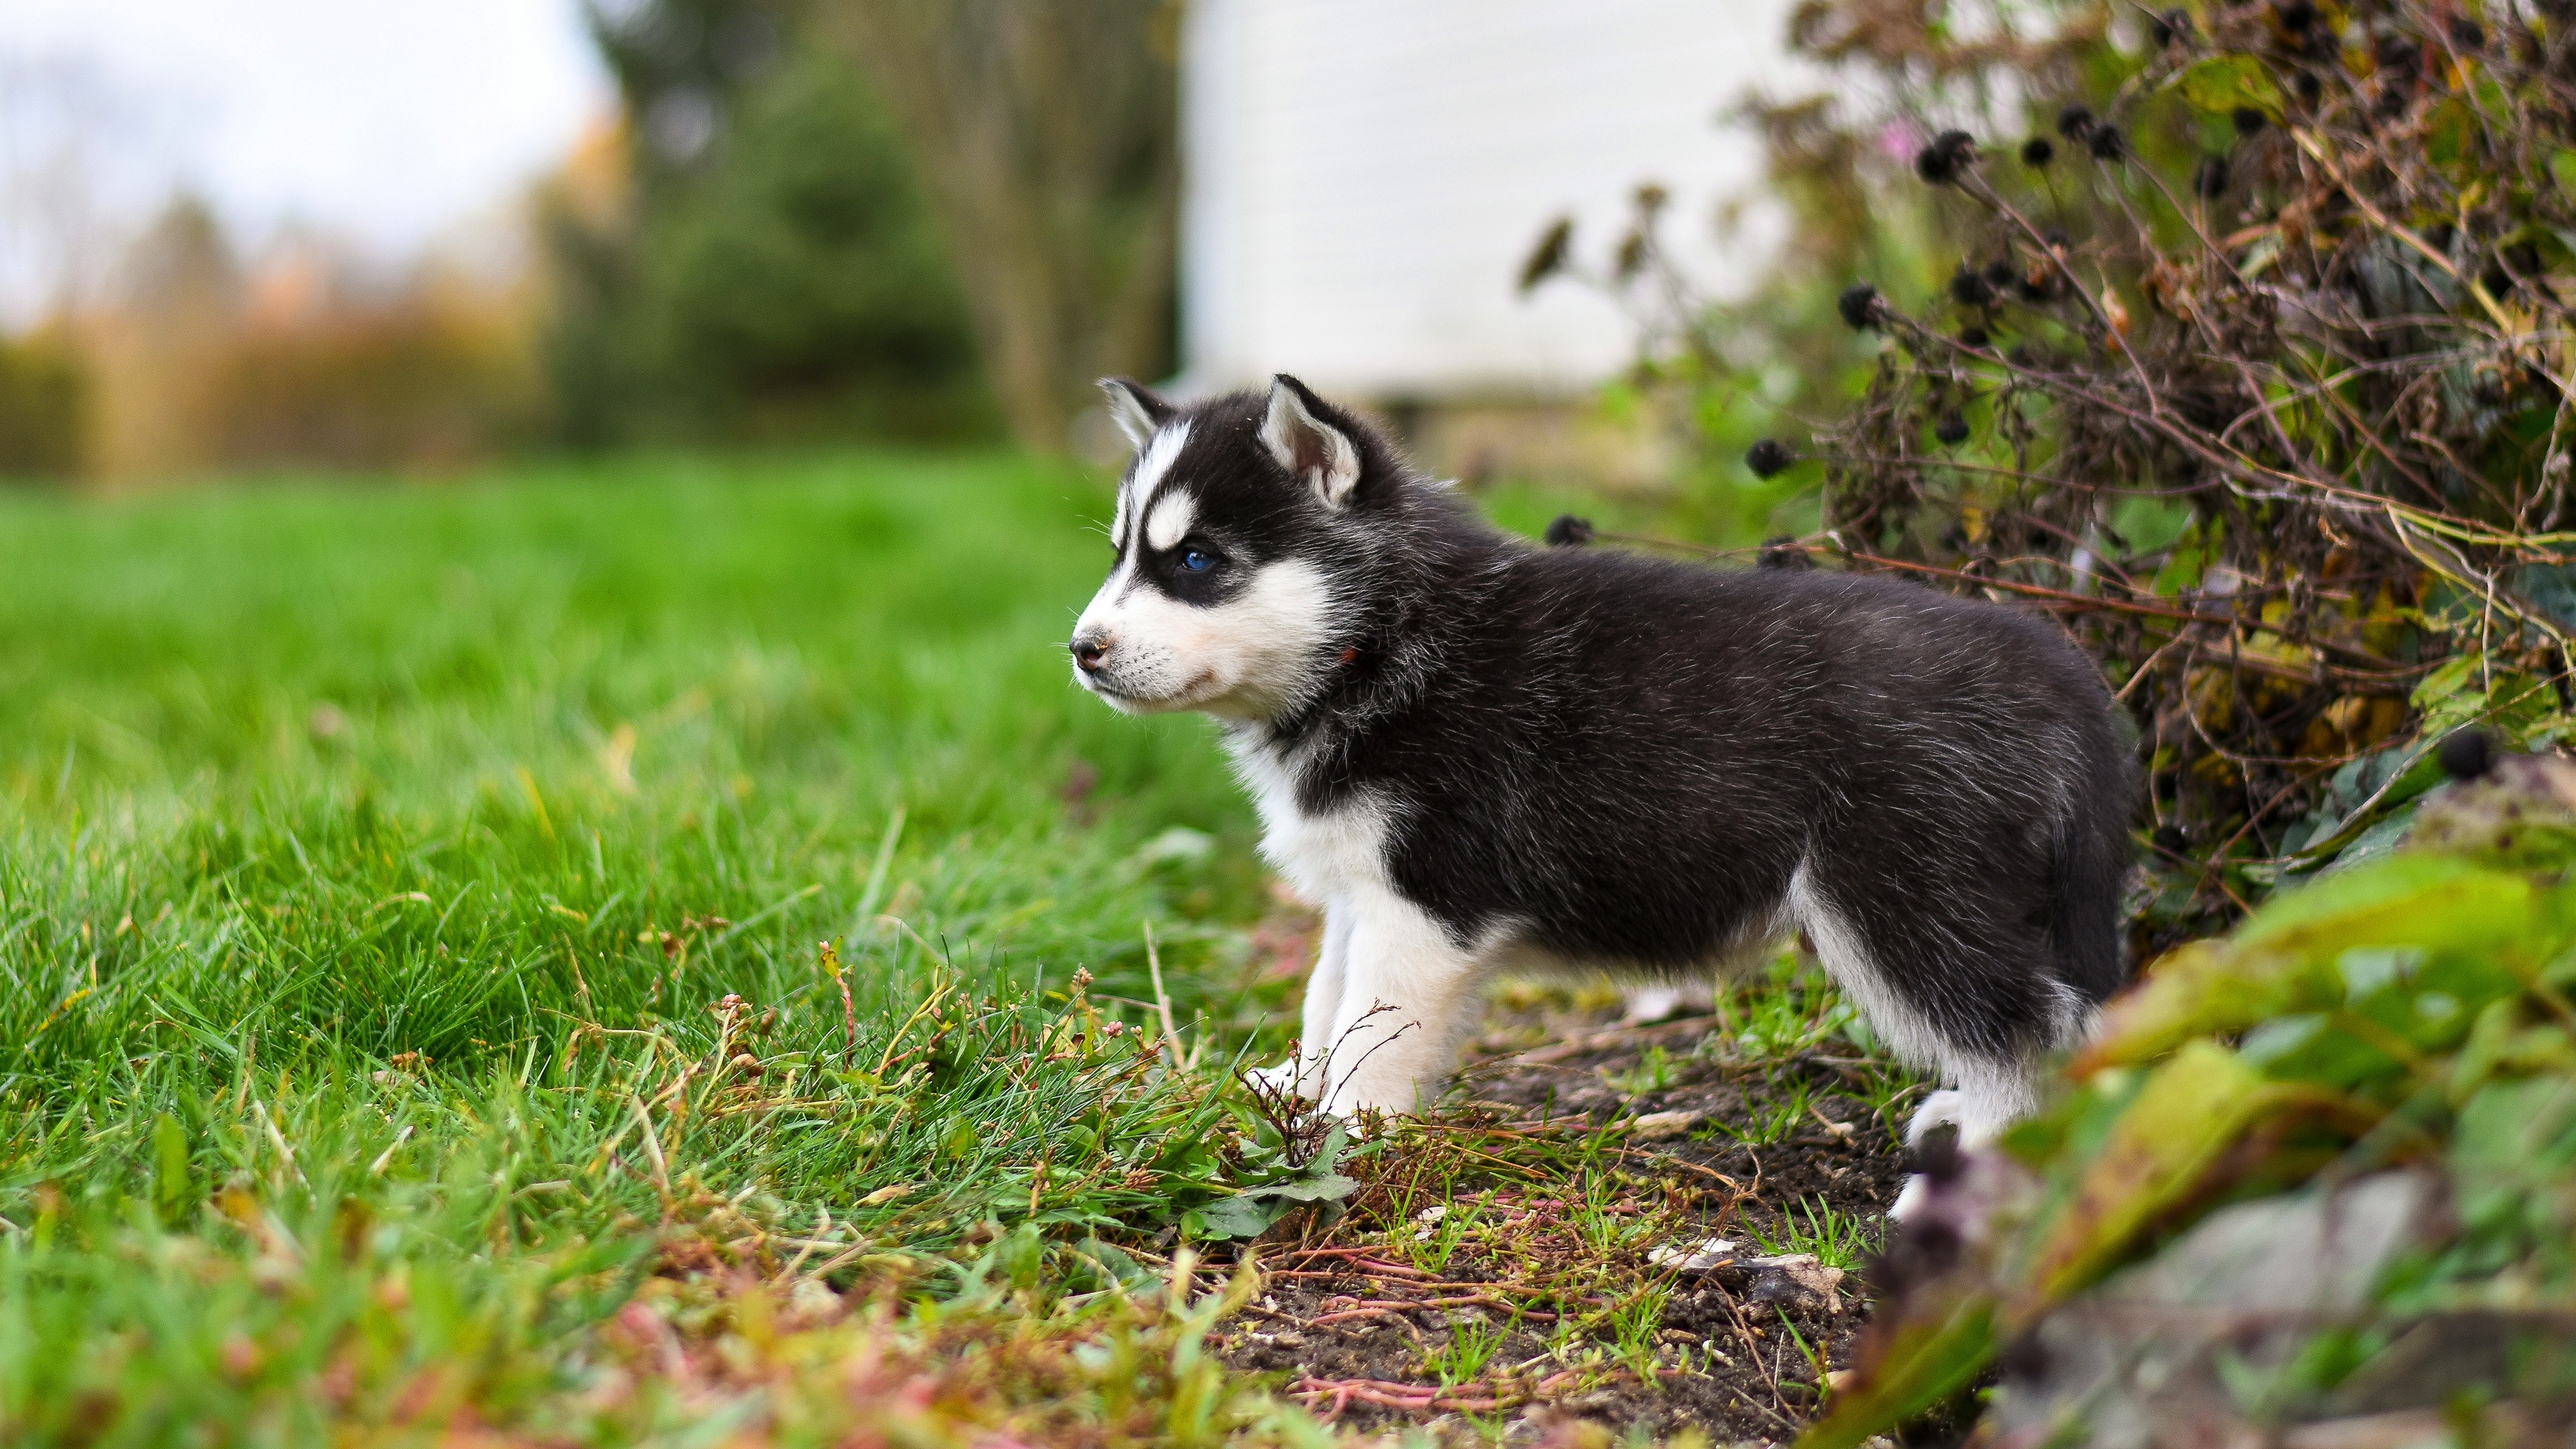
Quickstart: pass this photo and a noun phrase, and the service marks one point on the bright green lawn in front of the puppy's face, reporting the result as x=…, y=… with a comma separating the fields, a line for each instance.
x=375, y=878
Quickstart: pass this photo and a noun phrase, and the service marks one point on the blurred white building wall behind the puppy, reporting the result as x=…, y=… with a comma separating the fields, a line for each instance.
x=1361, y=179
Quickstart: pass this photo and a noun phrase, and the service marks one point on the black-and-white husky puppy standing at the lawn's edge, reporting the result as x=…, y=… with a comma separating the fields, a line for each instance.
x=1480, y=757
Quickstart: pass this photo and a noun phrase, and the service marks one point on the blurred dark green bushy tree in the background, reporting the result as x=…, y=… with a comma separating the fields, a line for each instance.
x=769, y=267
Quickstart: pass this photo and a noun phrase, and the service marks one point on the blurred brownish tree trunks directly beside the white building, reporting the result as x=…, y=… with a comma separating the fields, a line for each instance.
x=1050, y=138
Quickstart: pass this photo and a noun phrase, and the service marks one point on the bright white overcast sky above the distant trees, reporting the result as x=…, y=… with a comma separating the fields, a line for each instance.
x=388, y=120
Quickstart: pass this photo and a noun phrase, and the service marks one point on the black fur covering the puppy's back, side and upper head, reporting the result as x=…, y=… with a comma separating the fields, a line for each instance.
x=1632, y=757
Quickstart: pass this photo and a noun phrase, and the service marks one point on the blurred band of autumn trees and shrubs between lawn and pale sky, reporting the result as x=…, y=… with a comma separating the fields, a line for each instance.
x=808, y=223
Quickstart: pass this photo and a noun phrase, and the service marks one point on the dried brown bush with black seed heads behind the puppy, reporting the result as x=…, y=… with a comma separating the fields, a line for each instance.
x=2235, y=336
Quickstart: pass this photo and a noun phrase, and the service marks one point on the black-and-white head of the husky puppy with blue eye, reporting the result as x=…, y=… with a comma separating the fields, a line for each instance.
x=1238, y=532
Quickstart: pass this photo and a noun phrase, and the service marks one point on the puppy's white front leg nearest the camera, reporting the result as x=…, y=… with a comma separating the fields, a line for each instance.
x=1408, y=999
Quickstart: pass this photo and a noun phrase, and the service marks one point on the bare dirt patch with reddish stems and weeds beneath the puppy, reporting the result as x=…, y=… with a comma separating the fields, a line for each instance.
x=1567, y=1278
